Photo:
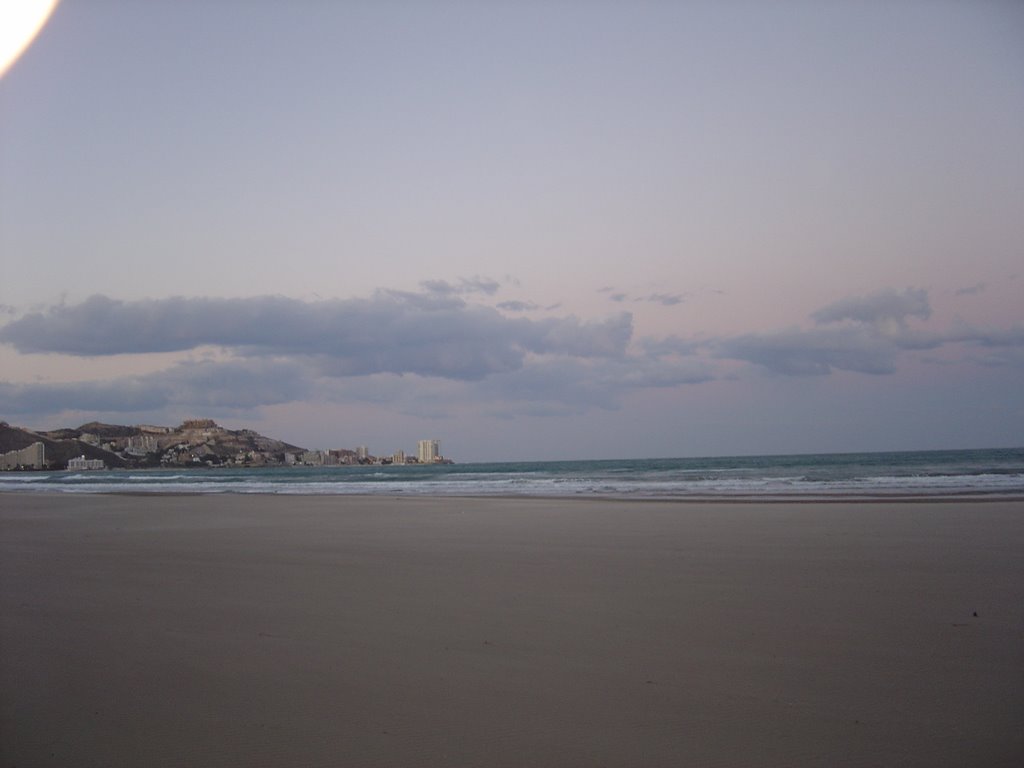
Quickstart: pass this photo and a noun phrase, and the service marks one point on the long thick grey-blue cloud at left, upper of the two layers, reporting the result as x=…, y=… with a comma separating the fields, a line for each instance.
x=432, y=334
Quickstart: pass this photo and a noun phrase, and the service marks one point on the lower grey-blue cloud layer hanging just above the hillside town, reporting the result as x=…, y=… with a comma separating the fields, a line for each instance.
x=554, y=385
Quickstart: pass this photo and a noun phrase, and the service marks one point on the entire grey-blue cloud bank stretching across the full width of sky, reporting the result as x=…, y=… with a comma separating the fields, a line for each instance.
x=285, y=350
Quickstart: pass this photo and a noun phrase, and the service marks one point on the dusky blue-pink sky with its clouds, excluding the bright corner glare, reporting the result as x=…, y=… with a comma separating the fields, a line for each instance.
x=529, y=230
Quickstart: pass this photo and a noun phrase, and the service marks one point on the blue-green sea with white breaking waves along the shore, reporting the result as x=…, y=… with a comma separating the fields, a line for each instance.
x=993, y=473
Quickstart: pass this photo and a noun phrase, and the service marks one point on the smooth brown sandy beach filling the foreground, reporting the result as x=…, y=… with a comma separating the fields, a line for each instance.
x=344, y=631
